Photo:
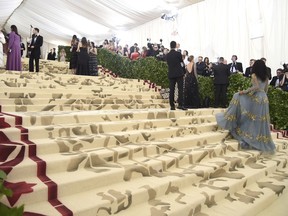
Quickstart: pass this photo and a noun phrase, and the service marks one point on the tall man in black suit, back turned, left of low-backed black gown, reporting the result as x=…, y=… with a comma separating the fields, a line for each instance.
x=175, y=75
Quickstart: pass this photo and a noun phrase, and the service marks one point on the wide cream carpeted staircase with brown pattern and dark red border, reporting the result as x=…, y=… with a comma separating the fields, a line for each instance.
x=93, y=146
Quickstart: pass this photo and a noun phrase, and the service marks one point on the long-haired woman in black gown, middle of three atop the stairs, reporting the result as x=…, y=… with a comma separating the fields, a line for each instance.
x=82, y=58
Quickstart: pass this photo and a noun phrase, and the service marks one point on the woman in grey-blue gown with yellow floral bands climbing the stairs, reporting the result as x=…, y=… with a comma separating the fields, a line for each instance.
x=247, y=117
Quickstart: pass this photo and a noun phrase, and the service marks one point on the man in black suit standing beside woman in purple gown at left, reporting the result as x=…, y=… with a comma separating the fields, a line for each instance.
x=34, y=47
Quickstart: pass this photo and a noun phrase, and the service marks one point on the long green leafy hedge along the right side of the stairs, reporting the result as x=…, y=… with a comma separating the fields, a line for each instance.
x=156, y=71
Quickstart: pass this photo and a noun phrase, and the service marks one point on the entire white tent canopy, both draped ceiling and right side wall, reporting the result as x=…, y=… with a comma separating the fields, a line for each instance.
x=213, y=28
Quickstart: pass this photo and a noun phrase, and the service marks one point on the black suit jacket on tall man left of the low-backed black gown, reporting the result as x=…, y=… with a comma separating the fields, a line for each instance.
x=175, y=64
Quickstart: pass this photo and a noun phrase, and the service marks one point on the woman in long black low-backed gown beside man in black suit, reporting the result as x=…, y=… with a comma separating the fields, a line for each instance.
x=191, y=92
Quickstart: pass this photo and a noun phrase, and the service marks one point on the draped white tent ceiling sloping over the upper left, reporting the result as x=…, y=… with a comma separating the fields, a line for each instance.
x=58, y=20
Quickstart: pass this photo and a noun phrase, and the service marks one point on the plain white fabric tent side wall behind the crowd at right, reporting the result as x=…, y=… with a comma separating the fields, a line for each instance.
x=213, y=28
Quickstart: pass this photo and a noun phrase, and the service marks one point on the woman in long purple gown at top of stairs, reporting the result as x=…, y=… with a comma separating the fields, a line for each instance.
x=14, y=50
